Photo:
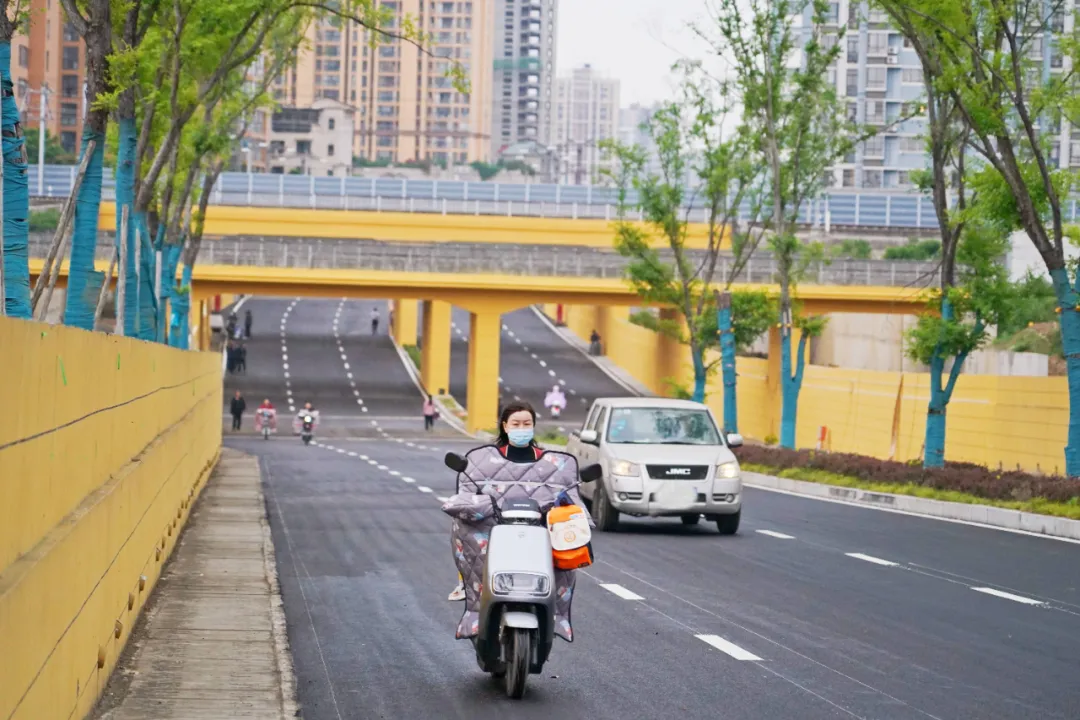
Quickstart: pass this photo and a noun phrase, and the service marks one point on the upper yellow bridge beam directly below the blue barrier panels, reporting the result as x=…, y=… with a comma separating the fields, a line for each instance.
x=409, y=227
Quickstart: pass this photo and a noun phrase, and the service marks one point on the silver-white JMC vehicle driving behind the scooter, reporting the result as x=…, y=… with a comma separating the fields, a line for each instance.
x=661, y=458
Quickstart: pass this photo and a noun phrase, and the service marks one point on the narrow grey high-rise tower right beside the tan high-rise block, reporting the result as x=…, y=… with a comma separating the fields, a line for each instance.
x=524, y=73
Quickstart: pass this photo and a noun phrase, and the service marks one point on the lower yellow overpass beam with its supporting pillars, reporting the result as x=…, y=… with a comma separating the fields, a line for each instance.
x=487, y=296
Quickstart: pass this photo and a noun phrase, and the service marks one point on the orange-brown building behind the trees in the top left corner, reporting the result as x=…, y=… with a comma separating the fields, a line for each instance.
x=50, y=60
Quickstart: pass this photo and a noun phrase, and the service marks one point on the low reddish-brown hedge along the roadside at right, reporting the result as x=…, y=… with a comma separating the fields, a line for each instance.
x=964, y=478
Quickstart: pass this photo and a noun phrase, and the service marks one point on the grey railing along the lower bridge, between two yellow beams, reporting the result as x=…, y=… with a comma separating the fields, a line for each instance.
x=482, y=259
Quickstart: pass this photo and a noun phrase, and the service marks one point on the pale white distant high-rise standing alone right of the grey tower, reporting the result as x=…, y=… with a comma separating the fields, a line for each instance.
x=587, y=113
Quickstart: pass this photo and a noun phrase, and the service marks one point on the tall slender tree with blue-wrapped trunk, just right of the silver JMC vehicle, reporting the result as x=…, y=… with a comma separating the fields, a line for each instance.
x=782, y=81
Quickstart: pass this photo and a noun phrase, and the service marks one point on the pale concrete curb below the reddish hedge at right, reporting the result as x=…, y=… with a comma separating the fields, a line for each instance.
x=1000, y=519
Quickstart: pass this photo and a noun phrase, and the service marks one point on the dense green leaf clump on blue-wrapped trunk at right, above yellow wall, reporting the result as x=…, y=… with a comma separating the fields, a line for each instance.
x=981, y=298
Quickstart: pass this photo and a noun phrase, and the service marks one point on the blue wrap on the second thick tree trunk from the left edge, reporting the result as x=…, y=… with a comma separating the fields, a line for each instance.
x=84, y=281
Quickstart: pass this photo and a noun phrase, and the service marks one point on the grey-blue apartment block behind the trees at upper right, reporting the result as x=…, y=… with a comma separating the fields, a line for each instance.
x=882, y=78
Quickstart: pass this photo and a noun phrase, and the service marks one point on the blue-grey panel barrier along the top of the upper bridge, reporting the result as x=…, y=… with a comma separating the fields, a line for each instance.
x=869, y=210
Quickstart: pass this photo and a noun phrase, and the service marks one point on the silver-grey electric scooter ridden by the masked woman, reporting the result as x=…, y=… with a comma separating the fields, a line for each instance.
x=518, y=601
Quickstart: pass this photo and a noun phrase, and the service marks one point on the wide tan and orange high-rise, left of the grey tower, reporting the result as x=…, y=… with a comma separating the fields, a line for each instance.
x=408, y=108
